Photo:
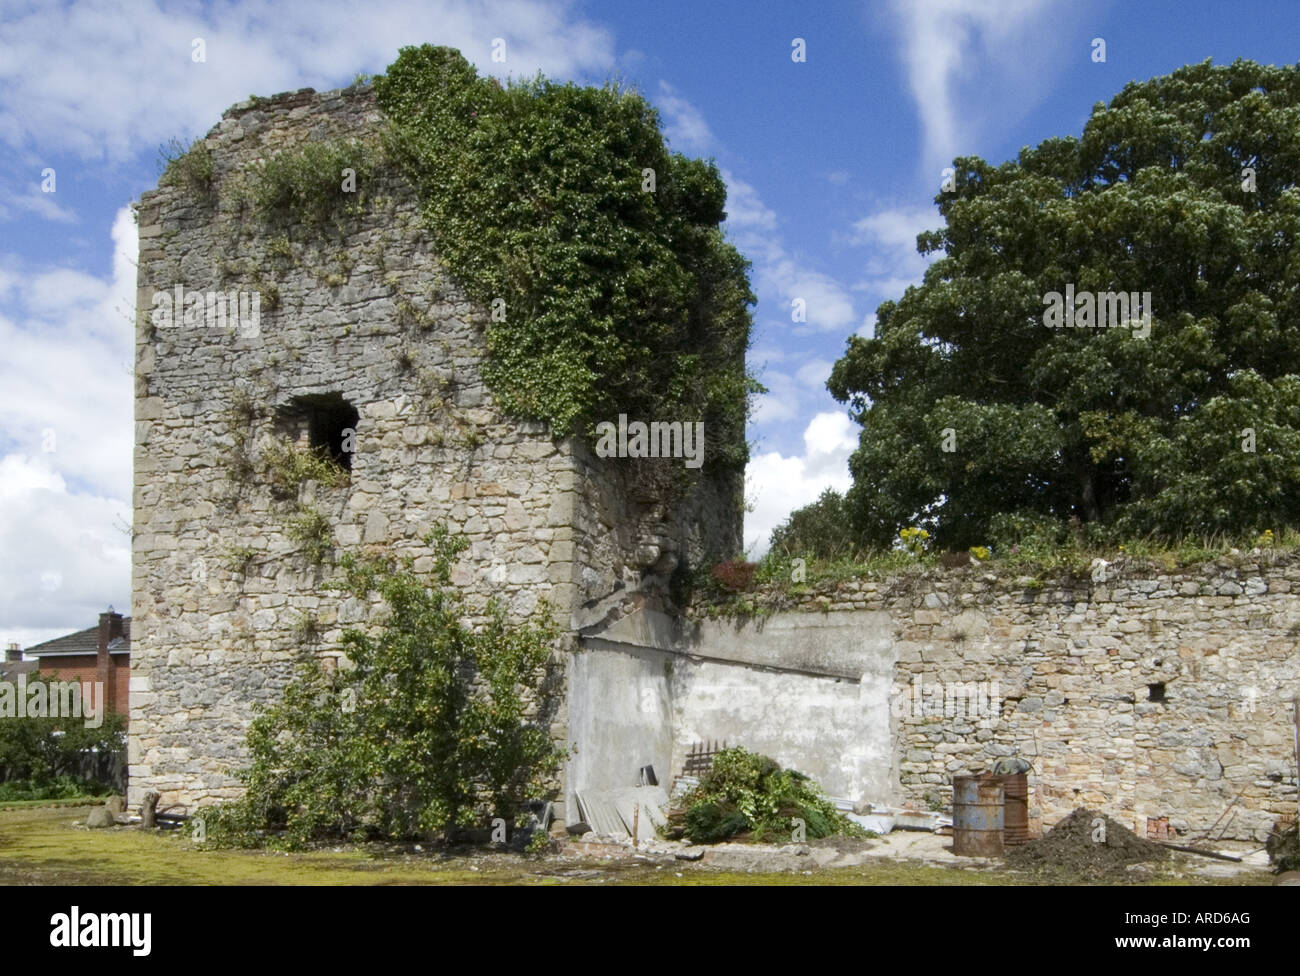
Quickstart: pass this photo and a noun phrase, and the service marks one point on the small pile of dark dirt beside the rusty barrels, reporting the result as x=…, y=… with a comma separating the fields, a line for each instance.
x=1082, y=847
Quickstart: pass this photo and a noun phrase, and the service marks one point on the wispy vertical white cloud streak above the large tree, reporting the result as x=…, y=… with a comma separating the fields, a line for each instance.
x=957, y=54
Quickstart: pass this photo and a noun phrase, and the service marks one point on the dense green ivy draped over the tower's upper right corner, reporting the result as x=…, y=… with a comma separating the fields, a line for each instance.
x=612, y=298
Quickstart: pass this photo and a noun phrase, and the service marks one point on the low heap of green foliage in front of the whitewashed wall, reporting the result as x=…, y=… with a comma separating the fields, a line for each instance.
x=751, y=792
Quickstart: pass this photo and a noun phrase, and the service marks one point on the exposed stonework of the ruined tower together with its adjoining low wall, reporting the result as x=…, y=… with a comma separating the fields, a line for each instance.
x=1151, y=695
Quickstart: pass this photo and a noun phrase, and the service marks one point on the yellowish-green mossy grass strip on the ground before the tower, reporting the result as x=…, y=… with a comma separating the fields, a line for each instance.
x=41, y=845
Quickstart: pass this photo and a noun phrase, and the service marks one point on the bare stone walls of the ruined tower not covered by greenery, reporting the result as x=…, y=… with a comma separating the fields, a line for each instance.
x=226, y=598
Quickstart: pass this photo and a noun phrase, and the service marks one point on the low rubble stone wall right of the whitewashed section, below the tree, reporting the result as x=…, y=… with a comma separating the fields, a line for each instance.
x=1151, y=695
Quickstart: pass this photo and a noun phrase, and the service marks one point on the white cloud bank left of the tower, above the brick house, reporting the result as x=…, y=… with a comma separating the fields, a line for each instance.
x=67, y=411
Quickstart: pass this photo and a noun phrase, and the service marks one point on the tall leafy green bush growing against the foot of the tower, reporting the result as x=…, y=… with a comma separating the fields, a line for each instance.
x=424, y=732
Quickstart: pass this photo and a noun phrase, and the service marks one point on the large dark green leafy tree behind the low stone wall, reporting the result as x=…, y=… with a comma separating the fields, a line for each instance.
x=1185, y=186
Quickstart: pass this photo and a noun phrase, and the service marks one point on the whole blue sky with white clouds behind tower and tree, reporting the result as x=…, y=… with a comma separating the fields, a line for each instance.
x=833, y=167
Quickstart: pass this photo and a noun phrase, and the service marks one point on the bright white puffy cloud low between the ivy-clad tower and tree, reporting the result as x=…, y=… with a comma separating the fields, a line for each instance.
x=777, y=485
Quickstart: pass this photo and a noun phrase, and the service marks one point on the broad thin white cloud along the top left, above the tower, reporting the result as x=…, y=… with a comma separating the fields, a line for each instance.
x=105, y=79
